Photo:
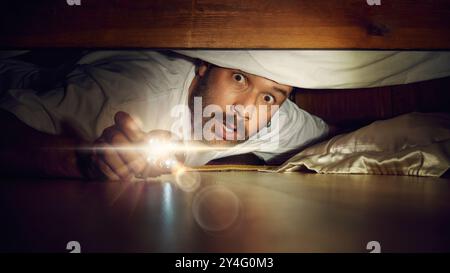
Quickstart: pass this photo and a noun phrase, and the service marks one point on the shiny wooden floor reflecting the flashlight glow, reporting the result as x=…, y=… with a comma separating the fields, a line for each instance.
x=229, y=212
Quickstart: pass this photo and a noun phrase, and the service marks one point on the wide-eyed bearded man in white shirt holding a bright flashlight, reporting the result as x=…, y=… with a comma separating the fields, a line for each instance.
x=116, y=99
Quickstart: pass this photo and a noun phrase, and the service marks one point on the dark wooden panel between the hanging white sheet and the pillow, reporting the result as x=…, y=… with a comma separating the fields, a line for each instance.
x=353, y=108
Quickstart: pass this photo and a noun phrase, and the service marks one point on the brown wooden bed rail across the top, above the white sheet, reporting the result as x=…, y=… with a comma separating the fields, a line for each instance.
x=307, y=24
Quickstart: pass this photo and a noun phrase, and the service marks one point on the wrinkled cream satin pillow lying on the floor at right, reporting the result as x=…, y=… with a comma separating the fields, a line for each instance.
x=412, y=144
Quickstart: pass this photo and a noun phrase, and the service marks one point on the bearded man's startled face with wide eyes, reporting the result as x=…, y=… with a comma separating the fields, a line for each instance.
x=247, y=102
